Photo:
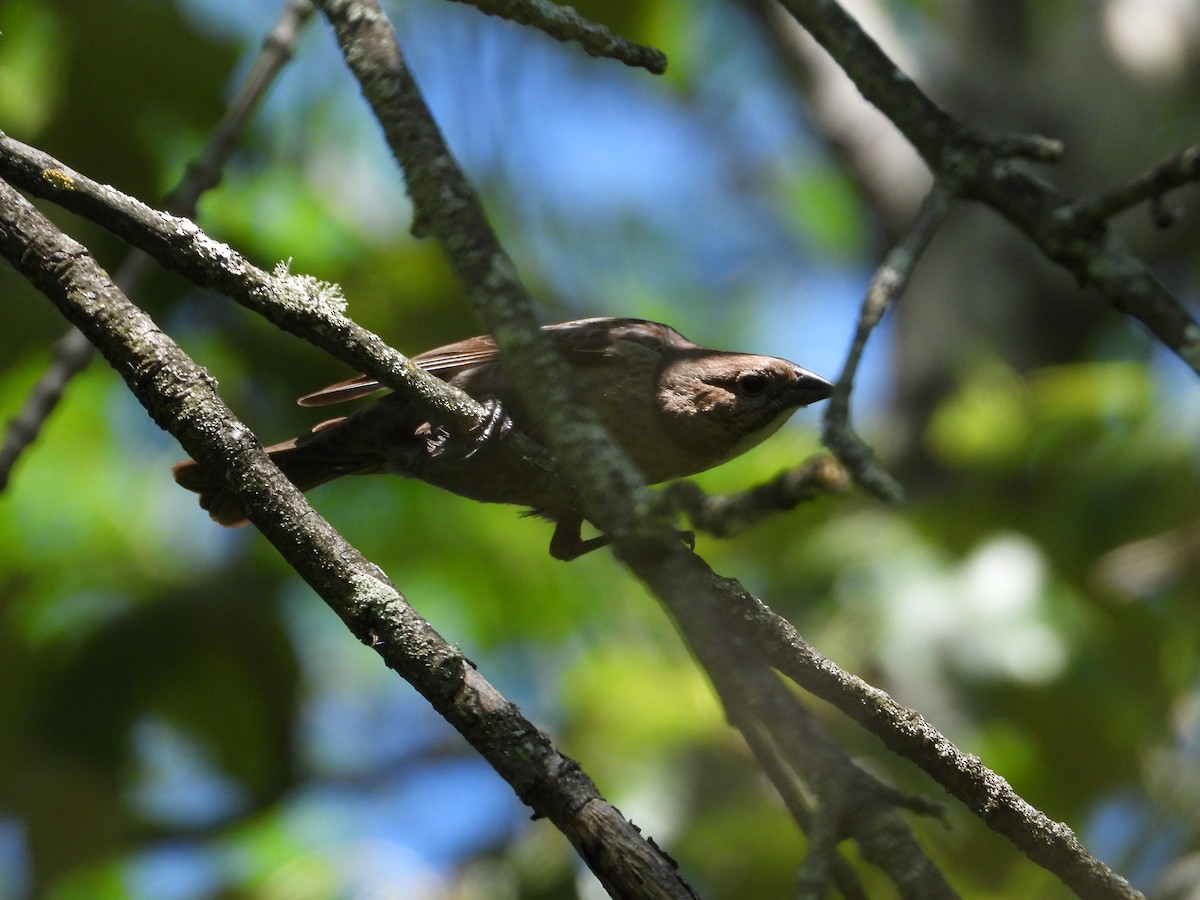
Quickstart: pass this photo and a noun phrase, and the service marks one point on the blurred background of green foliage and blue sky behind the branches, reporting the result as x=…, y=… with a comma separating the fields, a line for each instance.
x=181, y=717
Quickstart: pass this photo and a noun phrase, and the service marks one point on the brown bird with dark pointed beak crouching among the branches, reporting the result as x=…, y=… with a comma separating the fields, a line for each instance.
x=675, y=407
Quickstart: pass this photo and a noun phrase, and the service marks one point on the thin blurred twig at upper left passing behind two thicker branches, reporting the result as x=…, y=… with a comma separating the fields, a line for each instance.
x=74, y=353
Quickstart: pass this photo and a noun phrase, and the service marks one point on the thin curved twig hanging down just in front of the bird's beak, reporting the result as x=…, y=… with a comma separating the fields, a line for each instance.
x=889, y=285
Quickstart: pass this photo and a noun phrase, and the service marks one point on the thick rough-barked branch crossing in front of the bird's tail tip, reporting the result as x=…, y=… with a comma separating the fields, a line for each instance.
x=181, y=398
